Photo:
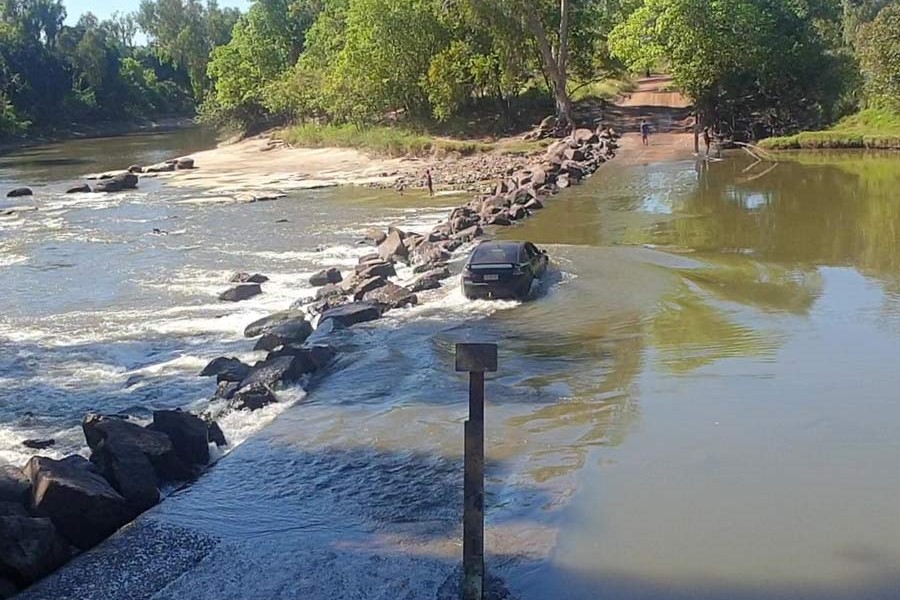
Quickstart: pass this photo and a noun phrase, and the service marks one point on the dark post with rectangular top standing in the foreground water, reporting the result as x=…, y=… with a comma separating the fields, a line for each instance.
x=476, y=359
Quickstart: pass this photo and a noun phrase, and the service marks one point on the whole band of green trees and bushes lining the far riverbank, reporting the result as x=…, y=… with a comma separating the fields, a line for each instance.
x=473, y=68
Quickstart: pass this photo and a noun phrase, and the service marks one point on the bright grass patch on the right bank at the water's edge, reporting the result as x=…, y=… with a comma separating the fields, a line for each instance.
x=870, y=128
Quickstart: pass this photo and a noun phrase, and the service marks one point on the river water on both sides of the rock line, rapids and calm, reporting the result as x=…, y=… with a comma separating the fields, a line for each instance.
x=698, y=404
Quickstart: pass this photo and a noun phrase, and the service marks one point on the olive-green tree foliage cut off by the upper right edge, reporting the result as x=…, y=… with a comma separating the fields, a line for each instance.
x=879, y=50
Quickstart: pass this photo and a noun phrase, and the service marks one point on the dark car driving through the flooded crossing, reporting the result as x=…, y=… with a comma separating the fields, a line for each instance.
x=503, y=270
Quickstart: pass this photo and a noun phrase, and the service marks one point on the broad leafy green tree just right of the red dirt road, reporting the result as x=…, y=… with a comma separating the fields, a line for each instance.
x=767, y=61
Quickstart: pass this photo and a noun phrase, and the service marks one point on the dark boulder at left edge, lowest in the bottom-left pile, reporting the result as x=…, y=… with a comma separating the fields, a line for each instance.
x=29, y=549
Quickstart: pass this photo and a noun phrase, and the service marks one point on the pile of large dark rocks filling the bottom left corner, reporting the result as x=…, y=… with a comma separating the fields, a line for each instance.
x=53, y=509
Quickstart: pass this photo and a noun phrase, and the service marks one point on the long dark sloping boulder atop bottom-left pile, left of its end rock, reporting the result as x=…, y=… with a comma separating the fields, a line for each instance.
x=116, y=432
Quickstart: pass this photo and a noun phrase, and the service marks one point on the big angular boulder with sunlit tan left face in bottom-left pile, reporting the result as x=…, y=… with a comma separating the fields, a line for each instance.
x=82, y=505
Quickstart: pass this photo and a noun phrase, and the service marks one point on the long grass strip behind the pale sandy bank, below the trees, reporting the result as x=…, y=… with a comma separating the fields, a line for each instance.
x=395, y=141
